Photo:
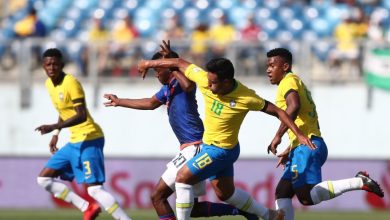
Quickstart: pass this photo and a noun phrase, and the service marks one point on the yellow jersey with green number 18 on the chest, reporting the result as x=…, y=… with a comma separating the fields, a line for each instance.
x=224, y=114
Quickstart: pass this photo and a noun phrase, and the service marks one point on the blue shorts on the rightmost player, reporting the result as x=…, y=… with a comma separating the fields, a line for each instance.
x=304, y=165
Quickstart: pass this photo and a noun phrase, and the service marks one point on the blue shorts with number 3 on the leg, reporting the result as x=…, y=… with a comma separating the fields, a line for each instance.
x=83, y=160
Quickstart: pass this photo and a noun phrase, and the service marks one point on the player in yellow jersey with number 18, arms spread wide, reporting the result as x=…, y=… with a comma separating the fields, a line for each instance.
x=227, y=101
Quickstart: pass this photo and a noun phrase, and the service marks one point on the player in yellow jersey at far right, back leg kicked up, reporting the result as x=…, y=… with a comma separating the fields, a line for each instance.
x=302, y=175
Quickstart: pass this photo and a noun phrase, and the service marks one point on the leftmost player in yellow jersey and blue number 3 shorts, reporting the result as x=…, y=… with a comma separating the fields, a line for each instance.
x=83, y=156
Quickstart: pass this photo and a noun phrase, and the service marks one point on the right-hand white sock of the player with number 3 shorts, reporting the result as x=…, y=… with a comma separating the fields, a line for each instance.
x=108, y=202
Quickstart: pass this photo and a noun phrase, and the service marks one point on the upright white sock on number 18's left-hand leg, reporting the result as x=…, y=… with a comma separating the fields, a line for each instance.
x=184, y=201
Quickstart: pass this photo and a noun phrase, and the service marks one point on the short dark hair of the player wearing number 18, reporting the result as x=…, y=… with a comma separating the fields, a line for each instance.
x=222, y=67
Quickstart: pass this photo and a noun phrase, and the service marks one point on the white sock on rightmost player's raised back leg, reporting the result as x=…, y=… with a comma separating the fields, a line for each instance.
x=330, y=189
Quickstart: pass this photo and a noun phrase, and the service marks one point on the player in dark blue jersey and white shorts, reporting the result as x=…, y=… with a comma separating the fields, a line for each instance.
x=178, y=94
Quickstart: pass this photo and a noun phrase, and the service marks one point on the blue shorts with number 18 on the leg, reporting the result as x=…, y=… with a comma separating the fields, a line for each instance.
x=212, y=162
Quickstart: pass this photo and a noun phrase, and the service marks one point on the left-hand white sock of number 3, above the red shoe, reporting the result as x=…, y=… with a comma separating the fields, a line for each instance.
x=61, y=191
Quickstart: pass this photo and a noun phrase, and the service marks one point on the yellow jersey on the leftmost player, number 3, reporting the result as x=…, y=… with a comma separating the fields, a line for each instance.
x=62, y=96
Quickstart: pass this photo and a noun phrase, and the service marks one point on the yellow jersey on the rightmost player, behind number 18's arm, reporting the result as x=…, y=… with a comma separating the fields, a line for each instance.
x=307, y=119
